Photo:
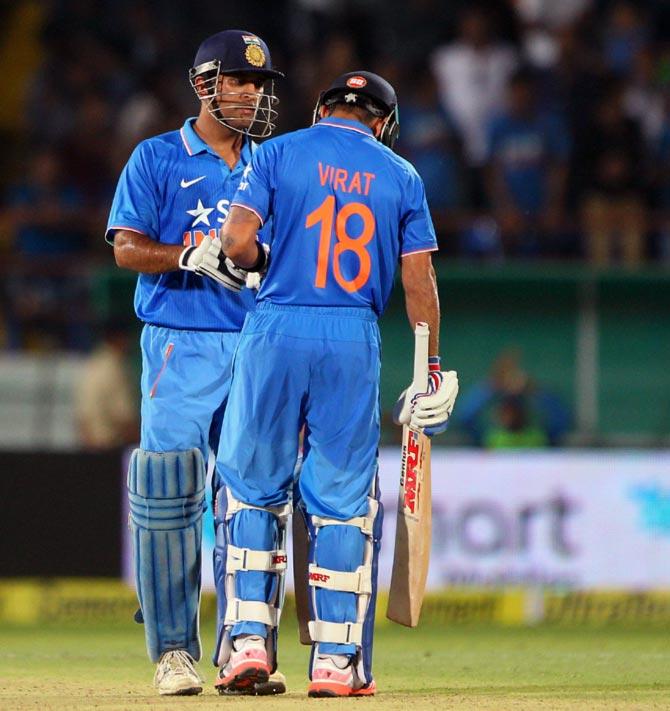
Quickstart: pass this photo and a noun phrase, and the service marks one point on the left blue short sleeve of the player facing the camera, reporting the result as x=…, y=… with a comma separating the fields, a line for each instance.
x=136, y=204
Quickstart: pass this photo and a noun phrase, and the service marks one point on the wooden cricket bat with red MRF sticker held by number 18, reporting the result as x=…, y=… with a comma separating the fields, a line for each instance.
x=414, y=520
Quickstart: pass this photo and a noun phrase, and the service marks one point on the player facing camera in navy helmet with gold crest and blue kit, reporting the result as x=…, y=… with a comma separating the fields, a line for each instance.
x=171, y=199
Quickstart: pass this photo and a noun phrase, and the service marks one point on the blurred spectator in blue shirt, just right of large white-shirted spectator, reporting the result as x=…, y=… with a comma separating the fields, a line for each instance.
x=528, y=152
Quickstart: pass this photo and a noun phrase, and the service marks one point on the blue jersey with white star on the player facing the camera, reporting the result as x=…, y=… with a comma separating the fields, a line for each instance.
x=175, y=189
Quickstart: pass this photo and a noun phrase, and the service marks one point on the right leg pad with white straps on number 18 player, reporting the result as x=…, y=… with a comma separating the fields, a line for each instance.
x=343, y=581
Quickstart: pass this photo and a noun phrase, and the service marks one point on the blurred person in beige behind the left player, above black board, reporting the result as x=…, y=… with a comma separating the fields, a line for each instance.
x=106, y=409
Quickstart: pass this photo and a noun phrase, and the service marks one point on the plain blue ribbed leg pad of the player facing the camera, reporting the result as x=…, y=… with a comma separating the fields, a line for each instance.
x=167, y=499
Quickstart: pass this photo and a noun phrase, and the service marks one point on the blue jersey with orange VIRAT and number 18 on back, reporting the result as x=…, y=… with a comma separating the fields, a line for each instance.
x=344, y=208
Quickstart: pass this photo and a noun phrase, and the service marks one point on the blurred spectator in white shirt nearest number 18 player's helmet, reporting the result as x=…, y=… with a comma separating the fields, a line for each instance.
x=472, y=74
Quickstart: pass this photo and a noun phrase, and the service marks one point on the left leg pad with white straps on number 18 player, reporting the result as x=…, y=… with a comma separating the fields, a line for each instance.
x=249, y=567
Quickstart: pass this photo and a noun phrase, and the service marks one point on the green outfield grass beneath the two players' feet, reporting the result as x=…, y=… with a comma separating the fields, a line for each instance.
x=432, y=667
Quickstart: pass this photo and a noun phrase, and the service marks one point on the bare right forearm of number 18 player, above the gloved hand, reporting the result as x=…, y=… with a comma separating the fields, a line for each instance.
x=421, y=296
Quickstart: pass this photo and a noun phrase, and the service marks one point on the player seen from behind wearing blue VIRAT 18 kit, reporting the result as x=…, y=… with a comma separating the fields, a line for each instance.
x=345, y=211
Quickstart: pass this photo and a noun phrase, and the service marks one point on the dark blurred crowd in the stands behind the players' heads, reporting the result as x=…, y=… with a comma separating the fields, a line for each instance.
x=541, y=128
